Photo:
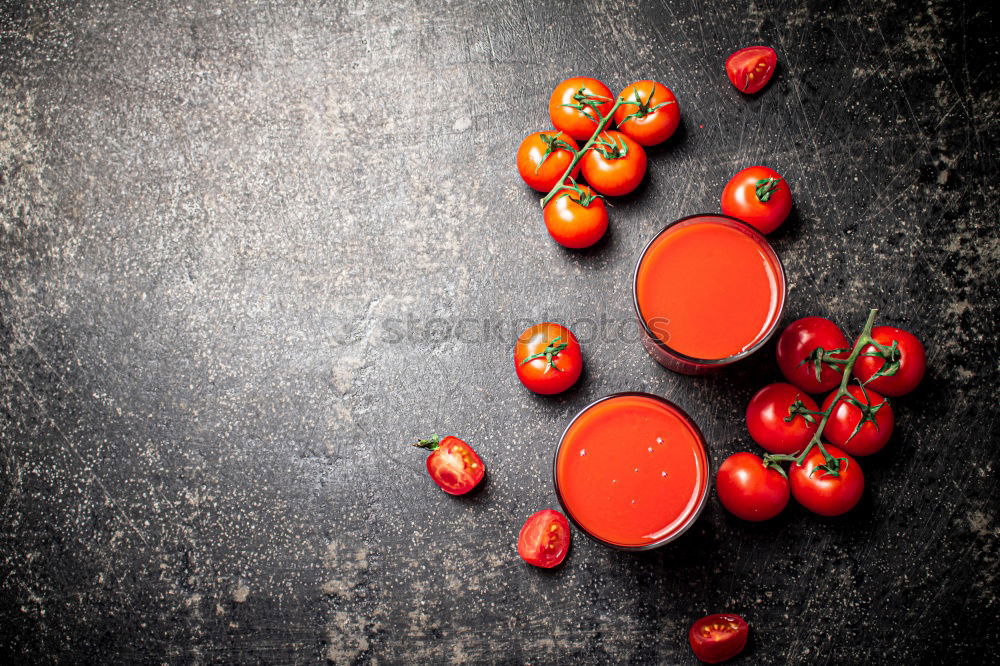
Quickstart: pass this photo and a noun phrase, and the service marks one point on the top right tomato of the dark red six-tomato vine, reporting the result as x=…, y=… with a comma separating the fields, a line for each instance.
x=910, y=361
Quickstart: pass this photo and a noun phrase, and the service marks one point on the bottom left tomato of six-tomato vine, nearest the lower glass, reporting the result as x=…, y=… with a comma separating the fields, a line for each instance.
x=749, y=490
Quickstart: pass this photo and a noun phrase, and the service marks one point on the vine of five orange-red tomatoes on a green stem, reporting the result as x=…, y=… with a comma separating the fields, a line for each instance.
x=612, y=162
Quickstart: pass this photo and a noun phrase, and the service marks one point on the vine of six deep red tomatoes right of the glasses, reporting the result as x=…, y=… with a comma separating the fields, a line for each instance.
x=855, y=419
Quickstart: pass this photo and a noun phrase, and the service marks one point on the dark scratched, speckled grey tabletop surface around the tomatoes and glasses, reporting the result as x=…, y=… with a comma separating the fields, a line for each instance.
x=250, y=250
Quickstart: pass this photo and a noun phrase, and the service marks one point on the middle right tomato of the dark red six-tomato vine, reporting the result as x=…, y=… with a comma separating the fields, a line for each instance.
x=873, y=421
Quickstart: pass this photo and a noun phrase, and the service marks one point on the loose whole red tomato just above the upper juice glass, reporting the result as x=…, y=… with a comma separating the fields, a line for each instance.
x=759, y=196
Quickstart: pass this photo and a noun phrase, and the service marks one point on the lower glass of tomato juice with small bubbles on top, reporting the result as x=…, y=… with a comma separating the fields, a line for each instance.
x=631, y=471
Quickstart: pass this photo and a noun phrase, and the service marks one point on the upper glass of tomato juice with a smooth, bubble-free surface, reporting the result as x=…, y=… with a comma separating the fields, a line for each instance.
x=708, y=291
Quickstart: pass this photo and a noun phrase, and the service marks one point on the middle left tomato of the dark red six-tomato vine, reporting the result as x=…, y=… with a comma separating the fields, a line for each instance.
x=766, y=415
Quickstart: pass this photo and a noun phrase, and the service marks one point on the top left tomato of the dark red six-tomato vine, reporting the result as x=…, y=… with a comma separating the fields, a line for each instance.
x=800, y=346
